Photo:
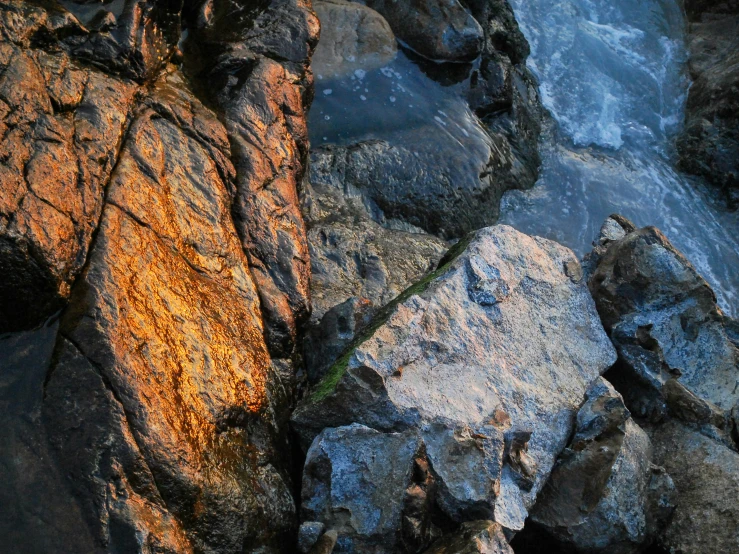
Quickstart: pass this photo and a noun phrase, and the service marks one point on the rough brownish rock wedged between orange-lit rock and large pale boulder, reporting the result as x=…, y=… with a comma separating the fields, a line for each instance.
x=360, y=261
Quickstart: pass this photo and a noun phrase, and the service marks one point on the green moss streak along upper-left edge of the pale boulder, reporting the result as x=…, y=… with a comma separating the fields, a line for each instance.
x=328, y=384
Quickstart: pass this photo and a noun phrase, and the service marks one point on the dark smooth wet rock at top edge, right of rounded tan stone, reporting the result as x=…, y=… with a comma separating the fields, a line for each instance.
x=439, y=30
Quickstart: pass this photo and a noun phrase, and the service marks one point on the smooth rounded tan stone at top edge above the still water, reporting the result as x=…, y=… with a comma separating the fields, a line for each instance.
x=353, y=37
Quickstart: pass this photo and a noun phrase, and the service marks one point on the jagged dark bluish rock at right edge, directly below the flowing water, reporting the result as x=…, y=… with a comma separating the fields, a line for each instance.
x=675, y=349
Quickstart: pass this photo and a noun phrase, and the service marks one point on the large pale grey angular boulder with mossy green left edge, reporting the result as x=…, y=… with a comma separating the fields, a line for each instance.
x=488, y=359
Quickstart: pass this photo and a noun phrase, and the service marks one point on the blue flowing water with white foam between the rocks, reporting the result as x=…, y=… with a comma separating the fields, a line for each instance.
x=612, y=74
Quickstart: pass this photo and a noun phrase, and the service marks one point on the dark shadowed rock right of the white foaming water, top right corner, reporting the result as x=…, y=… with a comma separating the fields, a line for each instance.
x=709, y=145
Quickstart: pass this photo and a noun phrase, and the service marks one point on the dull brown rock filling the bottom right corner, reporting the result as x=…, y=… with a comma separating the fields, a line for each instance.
x=706, y=474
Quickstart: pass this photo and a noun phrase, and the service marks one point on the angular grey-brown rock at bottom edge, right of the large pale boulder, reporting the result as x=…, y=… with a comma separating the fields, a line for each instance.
x=604, y=494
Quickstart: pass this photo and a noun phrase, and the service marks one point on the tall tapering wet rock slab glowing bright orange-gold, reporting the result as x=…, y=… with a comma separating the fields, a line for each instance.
x=167, y=313
